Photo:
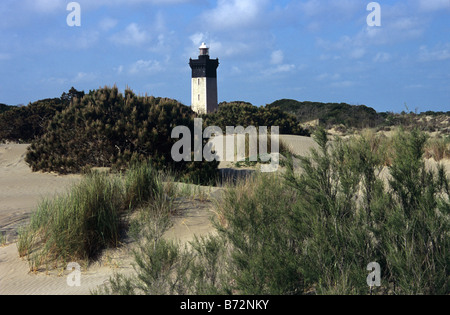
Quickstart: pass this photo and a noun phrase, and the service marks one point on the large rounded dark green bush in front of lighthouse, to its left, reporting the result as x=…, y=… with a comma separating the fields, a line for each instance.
x=108, y=129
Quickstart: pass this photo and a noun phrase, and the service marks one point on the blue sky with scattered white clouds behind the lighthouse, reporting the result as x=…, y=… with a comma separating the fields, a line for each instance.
x=310, y=50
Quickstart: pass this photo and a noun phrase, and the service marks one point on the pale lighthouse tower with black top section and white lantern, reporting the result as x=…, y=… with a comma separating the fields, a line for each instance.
x=204, y=82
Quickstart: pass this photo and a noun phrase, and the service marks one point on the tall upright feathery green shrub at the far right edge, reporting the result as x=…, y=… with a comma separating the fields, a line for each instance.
x=415, y=239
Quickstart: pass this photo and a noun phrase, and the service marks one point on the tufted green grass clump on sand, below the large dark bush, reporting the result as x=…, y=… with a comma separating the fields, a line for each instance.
x=88, y=218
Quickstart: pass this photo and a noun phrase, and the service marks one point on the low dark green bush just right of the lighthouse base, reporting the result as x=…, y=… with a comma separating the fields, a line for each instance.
x=245, y=114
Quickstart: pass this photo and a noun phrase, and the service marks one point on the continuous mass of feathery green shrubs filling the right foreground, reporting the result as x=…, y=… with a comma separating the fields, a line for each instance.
x=316, y=232
